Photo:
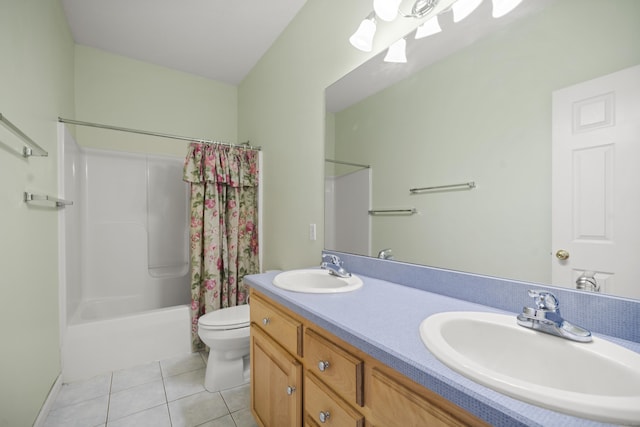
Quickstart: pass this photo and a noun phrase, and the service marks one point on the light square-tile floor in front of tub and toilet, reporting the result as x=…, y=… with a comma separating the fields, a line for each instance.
x=167, y=393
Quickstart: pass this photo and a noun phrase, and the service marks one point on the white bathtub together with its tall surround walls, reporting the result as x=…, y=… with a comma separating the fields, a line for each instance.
x=123, y=254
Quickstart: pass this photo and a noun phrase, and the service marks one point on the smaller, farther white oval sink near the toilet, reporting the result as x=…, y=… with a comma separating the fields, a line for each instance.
x=316, y=281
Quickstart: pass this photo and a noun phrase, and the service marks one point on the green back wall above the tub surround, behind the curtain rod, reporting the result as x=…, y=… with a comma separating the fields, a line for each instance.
x=114, y=90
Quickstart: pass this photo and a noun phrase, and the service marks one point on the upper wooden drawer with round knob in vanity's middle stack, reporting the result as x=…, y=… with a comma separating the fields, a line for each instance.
x=339, y=369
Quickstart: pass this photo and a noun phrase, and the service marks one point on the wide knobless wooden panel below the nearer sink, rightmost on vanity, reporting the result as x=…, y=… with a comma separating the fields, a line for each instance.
x=393, y=404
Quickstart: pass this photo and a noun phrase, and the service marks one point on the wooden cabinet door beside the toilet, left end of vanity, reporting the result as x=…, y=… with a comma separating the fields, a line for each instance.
x=276, y=383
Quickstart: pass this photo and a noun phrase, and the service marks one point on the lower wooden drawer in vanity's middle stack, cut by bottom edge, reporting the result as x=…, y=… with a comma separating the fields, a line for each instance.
x=325, y=408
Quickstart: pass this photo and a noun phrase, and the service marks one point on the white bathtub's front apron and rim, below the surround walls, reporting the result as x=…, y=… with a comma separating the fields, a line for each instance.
x=97, y=347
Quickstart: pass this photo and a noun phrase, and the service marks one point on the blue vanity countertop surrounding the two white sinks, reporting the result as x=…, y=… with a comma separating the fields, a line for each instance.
x=382, y=319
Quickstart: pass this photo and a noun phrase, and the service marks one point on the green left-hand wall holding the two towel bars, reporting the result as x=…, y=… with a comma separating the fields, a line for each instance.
x=36, y=85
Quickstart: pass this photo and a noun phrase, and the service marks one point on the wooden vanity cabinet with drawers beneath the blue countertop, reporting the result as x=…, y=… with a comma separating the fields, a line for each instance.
x=334, y=384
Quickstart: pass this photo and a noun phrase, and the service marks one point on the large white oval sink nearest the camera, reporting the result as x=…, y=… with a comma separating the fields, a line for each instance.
x=598, y=380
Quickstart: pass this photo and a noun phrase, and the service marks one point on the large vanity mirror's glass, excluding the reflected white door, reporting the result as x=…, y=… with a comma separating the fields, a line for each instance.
x=480, y=113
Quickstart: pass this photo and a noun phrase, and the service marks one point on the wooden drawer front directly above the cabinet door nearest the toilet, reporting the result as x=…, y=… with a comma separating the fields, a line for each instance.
x=281, y=327
